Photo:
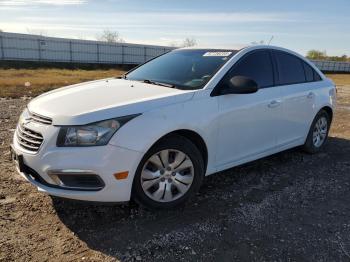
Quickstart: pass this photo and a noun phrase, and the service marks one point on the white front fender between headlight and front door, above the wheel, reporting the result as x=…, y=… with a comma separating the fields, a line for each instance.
x=198, y=115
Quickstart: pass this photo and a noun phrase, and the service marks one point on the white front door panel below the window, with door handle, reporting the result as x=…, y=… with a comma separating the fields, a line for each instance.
x=248, y=124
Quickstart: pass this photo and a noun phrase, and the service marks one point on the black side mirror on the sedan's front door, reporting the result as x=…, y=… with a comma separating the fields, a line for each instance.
x=239, y=85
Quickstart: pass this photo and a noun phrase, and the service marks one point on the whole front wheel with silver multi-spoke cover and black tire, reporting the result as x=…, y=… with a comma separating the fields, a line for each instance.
x=169, y=173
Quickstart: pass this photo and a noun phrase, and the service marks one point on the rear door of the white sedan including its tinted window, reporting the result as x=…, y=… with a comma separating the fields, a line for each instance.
x=297, y=85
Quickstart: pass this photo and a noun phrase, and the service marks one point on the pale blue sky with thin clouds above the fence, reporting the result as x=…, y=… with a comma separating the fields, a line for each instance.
x=299, y=25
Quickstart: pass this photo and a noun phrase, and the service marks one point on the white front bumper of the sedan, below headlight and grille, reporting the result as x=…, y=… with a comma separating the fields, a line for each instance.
x=103, y=161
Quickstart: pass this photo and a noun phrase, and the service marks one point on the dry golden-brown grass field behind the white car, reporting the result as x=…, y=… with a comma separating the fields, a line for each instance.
x=26, y=82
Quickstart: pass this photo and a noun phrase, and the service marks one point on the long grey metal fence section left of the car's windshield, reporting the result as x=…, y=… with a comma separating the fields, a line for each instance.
x=50, y=49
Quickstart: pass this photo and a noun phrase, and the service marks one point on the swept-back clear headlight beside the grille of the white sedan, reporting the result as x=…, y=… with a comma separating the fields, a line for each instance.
x=94, y=134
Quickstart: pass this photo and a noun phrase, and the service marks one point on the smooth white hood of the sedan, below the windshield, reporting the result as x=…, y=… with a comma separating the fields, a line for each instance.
x=103, y=99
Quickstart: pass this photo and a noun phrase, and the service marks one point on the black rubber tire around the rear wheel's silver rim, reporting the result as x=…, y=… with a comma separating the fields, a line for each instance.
x=309, y=145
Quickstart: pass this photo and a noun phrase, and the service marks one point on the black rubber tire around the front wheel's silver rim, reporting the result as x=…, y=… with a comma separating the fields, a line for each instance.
x=175, y=142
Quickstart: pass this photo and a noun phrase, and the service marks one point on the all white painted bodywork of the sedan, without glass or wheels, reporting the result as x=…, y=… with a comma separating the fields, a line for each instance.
x=235, y=128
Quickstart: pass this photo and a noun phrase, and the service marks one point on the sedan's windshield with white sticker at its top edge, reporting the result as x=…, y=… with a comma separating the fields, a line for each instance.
x=183, y=69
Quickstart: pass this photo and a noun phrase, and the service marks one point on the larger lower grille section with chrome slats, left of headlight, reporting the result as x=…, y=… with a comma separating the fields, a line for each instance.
x=29, y=139
